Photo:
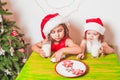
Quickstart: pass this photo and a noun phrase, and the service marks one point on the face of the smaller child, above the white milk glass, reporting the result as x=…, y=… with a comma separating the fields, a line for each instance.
x=92, y=35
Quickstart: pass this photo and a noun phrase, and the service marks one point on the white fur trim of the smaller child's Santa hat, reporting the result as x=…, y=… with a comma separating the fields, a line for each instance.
x=94, y=26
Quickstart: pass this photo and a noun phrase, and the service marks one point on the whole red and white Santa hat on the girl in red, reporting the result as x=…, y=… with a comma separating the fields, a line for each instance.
x=49, y=22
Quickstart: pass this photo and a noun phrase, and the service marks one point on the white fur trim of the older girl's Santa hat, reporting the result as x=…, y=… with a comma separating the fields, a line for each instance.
x=52, y=23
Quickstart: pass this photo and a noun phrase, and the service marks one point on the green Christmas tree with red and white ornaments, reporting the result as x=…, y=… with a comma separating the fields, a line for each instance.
x=12, y=47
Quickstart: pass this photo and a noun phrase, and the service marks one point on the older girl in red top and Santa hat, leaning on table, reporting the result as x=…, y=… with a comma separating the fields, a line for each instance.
x=55, y=30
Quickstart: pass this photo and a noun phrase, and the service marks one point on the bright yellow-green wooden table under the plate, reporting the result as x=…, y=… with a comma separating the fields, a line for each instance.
x=103, y=68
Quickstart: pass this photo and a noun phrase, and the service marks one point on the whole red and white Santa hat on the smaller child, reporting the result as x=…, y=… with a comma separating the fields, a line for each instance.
x=94, y=24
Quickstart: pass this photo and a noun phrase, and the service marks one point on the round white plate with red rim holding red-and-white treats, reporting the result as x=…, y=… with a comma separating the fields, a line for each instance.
x=66, y=71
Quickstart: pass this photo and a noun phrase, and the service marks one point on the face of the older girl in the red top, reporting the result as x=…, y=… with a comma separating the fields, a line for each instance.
x=57, y=33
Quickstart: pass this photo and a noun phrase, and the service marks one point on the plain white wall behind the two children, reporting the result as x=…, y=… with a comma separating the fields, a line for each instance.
x=30, y=13
